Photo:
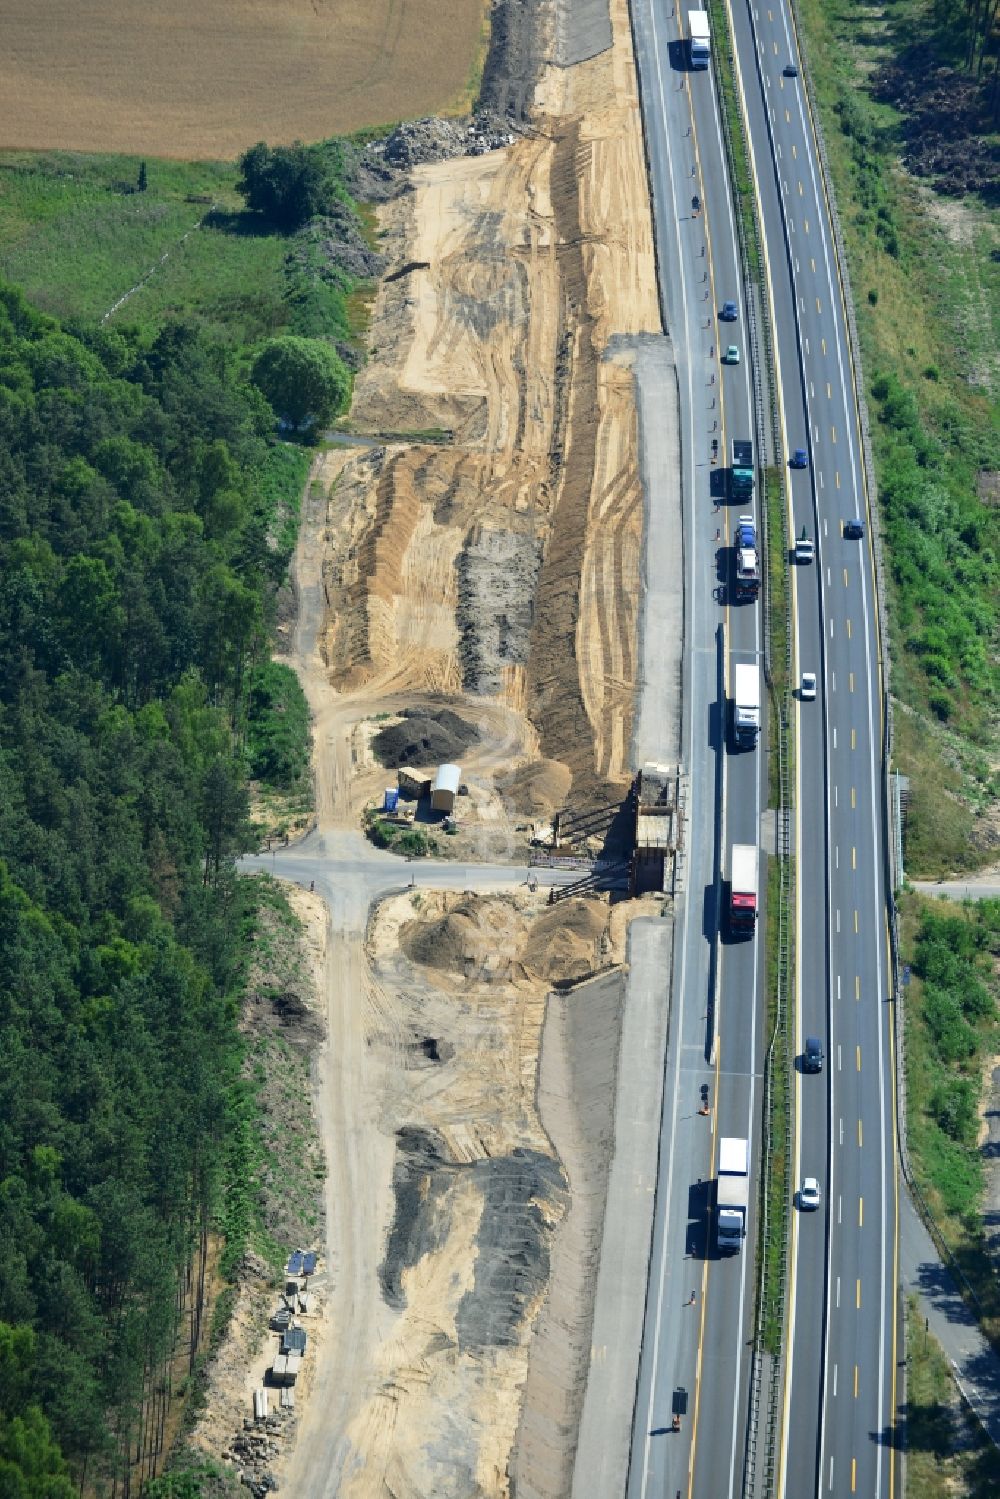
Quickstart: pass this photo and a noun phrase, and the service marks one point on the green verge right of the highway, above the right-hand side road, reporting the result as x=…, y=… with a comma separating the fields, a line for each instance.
x=912, y=137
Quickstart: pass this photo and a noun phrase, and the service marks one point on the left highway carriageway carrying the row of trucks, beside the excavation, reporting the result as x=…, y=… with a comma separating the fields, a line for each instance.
x=699, y=1347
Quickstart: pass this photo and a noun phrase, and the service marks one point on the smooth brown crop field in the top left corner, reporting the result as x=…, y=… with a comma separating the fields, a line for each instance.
x=206, y=79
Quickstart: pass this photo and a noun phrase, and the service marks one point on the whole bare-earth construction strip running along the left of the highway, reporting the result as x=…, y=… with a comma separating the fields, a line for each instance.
x=482, y=555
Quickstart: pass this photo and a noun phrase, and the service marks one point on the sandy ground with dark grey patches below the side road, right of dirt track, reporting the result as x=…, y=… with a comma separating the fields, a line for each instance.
x=455, y=1020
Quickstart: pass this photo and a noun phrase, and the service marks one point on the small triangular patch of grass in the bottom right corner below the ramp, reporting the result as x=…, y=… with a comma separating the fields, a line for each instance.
x=947, y=1450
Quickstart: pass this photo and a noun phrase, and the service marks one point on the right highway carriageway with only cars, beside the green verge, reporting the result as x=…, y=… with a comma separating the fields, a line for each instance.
x=840, y=1392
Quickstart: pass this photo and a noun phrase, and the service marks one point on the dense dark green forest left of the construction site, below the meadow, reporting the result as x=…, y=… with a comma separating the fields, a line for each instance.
x=137, y=570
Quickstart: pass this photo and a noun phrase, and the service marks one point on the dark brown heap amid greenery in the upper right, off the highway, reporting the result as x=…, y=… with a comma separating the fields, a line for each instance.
x=947, y=124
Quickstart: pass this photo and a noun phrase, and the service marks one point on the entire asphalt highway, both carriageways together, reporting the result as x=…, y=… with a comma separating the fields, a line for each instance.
x=840, y=1390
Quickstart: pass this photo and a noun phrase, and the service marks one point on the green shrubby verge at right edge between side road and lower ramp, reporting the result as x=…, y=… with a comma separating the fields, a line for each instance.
x=951, y=1043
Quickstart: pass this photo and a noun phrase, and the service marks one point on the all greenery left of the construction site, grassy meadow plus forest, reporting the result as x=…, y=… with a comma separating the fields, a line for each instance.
x=148, y=516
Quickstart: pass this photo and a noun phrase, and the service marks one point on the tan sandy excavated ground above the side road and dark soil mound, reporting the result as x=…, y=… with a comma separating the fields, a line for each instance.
x=503, y=564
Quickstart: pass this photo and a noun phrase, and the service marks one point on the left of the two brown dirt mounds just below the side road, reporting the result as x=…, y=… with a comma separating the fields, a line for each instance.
x=478, y=939
